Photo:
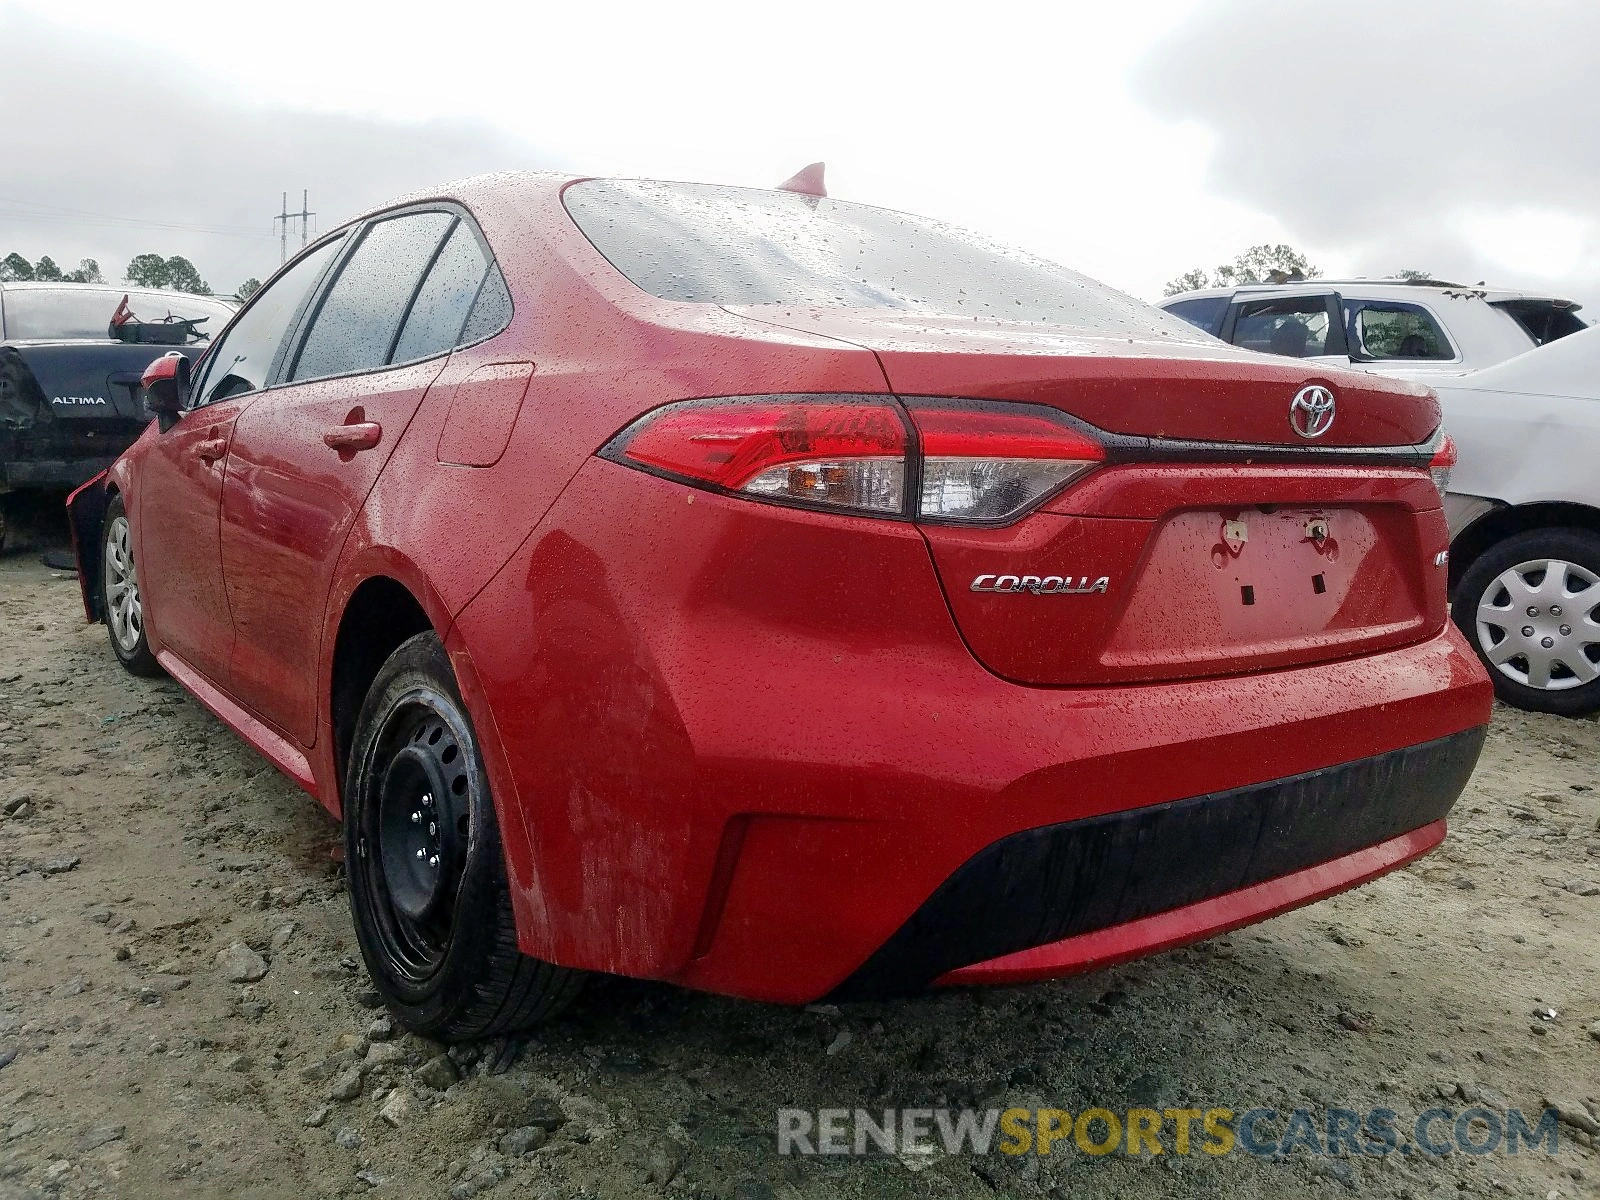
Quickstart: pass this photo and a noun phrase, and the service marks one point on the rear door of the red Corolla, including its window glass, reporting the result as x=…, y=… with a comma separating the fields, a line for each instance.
x=305, y=458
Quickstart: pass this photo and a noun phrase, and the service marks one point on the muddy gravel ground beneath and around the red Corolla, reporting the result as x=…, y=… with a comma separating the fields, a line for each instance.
x=183, y=1010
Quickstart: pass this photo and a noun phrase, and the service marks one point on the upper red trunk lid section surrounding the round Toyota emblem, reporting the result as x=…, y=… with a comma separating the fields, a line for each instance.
x=1145, y=385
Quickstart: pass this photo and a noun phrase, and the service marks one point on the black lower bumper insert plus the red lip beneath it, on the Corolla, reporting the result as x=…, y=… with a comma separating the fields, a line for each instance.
x=1023, y=906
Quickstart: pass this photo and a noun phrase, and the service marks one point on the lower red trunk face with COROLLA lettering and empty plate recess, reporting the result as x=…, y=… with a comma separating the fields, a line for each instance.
x=1209, y=570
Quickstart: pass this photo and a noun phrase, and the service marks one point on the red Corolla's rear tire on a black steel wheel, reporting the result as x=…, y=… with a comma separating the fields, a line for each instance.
x=425, y=862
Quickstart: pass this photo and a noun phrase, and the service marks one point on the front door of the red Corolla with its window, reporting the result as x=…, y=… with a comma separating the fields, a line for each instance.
x=180, y=486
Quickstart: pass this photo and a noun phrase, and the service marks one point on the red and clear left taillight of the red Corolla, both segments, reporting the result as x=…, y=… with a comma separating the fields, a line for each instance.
x=967, y=462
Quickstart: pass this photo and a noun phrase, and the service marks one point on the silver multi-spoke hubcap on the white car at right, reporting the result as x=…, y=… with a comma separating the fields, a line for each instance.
x=1537, y=625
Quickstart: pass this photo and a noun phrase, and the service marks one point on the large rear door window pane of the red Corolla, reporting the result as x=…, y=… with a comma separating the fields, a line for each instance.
x=359, y=319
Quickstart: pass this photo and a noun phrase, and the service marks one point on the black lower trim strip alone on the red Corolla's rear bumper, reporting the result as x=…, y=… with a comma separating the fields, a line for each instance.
x=1047, y=884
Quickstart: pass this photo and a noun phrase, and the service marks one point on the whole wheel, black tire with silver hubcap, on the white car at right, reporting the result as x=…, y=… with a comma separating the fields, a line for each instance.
x=1530, y=607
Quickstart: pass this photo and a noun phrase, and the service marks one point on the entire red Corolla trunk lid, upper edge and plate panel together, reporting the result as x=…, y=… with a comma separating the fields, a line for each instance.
x=1180, y=567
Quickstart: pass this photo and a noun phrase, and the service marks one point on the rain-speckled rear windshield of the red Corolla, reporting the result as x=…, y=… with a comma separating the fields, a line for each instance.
x=734, y=246
